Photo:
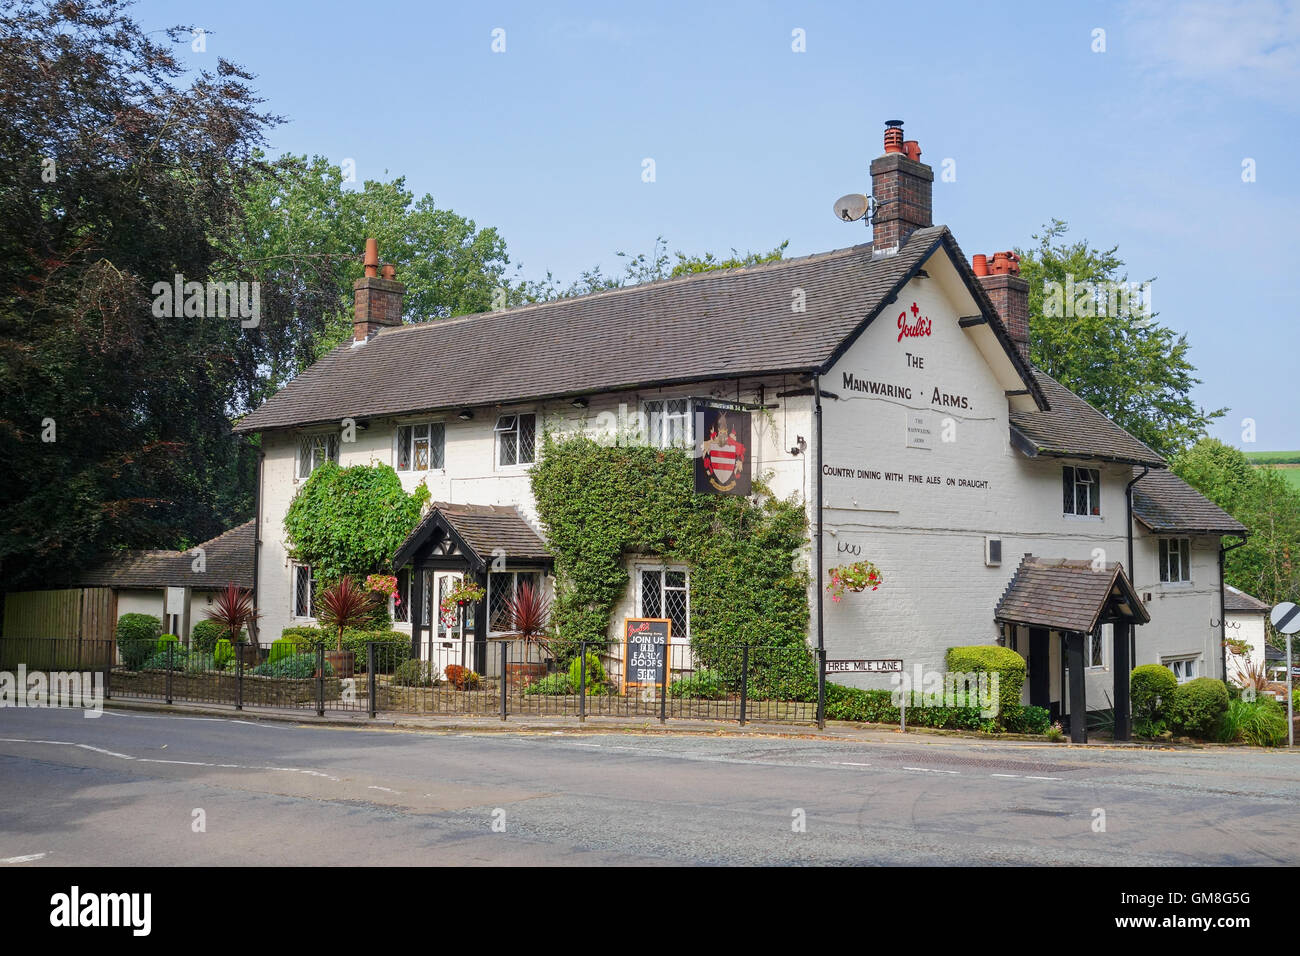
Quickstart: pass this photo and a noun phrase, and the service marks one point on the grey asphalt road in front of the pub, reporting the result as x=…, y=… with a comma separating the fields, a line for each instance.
x=132, y=789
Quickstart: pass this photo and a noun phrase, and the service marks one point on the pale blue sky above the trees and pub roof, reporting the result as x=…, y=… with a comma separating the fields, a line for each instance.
x=1141, y=146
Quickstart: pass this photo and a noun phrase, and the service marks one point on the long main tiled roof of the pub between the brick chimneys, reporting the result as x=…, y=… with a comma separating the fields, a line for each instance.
x=721, y=325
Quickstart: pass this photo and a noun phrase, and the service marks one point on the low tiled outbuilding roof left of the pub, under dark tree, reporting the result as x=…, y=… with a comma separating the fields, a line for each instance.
x=228, y=560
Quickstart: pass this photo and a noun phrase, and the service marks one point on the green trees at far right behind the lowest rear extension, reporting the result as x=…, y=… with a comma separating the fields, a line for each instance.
x=1264, y=503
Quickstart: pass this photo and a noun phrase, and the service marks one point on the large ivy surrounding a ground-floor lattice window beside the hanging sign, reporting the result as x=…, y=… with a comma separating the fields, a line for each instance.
x=600, y=504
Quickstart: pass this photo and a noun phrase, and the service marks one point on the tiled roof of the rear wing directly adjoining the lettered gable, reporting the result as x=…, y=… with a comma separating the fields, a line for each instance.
x=1072, y=429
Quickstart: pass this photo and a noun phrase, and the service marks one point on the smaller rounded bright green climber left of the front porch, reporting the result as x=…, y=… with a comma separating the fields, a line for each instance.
x=352, y=521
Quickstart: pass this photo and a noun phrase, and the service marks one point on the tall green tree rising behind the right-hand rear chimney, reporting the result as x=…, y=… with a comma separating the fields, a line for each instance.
x=1108, y=348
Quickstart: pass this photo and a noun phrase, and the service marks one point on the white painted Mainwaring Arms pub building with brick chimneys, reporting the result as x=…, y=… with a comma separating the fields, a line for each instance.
x=892, y=395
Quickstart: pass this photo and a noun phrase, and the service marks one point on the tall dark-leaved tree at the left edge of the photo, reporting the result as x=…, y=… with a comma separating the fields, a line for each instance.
x=116, y=174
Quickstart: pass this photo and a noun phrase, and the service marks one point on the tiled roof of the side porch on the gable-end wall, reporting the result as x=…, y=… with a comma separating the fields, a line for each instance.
x=1065, y=595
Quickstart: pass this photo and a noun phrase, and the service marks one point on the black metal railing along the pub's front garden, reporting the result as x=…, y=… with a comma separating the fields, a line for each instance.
x=518, y=678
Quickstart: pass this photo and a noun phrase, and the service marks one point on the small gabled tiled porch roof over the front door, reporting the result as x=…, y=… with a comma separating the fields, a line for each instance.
x=478, y=533
